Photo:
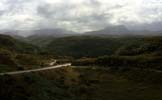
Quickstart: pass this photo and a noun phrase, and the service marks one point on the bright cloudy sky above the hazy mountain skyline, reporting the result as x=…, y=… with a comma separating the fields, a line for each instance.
x=80, y=15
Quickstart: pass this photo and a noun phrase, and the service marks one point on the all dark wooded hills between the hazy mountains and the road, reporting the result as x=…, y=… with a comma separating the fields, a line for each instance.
x=141, y=52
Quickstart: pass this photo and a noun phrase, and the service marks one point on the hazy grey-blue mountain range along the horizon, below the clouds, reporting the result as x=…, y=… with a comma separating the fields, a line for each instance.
x=55, y=33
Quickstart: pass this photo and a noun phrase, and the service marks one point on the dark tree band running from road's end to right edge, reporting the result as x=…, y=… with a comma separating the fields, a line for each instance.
x=142, y=62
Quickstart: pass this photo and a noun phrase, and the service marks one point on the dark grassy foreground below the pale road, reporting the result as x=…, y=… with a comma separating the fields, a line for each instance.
x=82, y=84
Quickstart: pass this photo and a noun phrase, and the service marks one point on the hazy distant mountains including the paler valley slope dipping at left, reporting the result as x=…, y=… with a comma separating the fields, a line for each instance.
x=42, y=37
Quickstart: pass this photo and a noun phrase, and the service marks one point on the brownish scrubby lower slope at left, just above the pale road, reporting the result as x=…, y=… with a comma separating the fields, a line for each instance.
x=10, y=61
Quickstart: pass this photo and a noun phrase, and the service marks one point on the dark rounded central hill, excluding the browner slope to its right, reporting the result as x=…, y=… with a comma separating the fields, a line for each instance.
x=85, y=46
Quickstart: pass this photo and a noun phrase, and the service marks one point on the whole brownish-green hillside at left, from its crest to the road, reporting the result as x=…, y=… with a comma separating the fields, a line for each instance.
x=18, y=55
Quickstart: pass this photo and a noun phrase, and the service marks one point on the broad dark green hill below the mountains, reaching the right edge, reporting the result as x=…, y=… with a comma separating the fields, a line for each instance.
x=93, y=46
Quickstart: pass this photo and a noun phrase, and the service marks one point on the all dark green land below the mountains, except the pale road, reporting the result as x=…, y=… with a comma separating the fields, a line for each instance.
x=128, y=68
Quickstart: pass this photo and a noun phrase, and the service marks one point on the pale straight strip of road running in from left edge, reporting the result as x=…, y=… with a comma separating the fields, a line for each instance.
x=36, y=70
